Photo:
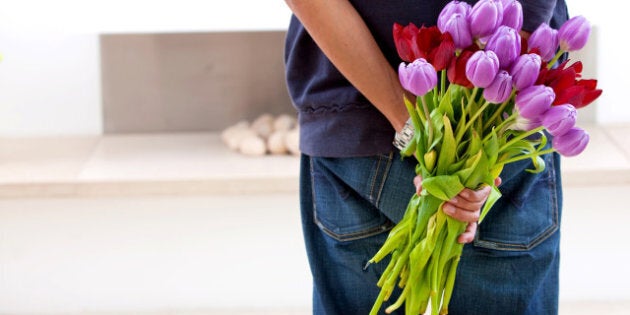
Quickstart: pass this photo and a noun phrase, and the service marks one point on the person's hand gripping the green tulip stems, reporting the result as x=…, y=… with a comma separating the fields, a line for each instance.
x=465, y=207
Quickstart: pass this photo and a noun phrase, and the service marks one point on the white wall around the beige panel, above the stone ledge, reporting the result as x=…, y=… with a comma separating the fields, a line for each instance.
x=50, y=82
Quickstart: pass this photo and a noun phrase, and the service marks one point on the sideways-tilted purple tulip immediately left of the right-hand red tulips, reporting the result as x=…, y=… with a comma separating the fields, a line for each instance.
x=534, y=101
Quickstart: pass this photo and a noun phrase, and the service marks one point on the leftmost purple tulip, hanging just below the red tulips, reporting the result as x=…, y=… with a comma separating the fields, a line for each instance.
x=418, y=77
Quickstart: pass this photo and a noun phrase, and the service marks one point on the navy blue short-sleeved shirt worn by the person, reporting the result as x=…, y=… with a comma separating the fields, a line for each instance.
x=336, y=120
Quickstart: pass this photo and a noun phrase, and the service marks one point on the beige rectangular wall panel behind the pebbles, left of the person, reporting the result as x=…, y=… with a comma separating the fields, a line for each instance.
x=182, y=82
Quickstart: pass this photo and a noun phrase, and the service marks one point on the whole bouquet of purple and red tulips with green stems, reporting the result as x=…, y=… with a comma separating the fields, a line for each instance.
x=502, y=100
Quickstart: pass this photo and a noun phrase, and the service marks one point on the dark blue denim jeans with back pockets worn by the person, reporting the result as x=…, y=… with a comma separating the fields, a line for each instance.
x=349, y=204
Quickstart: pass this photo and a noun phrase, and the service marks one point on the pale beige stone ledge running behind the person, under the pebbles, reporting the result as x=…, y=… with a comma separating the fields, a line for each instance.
x=199, y=163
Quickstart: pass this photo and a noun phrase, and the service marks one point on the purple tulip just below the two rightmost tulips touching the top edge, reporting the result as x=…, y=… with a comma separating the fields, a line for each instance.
x=506, y=43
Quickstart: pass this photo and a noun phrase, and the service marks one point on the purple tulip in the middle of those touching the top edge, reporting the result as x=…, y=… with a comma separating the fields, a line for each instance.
x=485, y=17
